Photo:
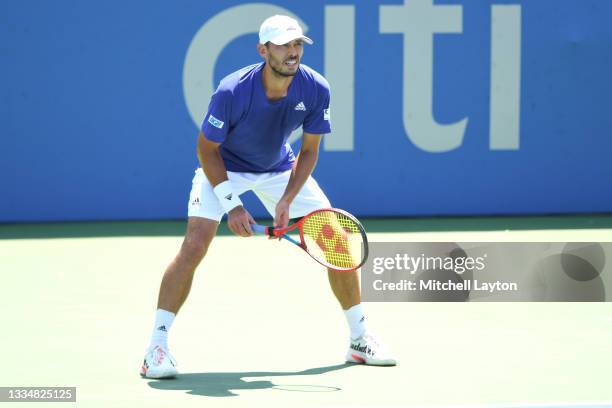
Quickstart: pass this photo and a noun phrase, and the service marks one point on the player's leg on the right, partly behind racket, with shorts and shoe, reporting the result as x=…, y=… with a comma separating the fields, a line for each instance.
x=345, y=285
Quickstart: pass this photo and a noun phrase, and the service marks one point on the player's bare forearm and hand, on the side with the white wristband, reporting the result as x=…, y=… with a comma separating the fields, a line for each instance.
x=238, y=219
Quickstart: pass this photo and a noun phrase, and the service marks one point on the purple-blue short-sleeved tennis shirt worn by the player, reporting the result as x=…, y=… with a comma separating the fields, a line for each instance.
x=253, y=130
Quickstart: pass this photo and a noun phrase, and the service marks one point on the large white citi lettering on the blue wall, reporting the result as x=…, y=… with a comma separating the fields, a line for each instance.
x=419, y=24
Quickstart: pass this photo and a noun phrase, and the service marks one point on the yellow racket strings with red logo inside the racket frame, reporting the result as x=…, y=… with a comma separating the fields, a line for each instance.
x=334, y=238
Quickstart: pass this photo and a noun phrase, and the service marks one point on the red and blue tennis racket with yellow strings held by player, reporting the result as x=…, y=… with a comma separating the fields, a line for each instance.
x=332, y=237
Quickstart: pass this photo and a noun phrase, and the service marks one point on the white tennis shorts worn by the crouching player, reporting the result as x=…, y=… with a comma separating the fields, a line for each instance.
x=268, y=187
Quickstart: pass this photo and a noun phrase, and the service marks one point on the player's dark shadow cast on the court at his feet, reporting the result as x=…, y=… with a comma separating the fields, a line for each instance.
x=222, y=384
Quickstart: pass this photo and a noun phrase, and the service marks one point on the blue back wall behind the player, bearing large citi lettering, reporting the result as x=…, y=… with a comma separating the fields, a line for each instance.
x=95, y=121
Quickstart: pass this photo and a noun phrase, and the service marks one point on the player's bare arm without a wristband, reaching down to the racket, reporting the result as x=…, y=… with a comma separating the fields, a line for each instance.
x=302, y=169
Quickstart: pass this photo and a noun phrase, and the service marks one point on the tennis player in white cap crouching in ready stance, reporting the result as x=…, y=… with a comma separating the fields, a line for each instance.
x=243, y=146
